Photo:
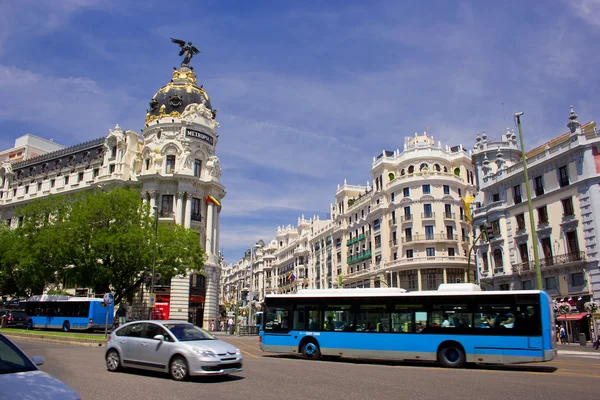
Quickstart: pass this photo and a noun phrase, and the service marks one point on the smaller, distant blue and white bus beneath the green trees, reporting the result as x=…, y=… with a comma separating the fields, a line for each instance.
x=67, y=312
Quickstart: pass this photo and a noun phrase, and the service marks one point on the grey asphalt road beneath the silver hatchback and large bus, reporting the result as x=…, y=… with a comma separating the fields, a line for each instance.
x=274, y=377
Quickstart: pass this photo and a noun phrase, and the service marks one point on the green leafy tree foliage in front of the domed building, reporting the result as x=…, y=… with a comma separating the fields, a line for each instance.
x=99, y=239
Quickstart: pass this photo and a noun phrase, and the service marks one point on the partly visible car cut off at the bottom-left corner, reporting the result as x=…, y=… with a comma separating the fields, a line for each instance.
x=20, y=377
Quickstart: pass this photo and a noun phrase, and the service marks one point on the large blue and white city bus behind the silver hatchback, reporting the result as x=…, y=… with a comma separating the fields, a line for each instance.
x=456, y=324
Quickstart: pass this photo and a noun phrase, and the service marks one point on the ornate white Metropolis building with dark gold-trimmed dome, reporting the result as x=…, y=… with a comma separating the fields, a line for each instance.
x=174, y=165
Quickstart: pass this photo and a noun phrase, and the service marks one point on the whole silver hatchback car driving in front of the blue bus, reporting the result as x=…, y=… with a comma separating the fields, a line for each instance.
x=176, y=347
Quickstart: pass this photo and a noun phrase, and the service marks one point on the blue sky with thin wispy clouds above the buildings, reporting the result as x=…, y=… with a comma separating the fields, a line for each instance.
x=307, y=92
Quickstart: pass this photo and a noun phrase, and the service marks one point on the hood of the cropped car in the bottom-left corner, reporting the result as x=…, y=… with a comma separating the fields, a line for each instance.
x=34, y=385
